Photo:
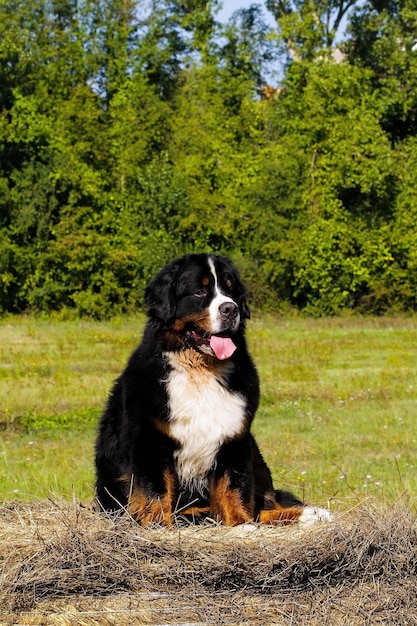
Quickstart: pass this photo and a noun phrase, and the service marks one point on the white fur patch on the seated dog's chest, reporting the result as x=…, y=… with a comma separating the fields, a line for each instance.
x=203, y=415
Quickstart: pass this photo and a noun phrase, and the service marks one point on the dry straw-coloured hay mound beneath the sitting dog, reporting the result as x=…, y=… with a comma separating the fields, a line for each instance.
x=64, y=564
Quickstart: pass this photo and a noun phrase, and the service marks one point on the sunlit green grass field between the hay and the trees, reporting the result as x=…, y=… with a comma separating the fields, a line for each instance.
x=336, y=421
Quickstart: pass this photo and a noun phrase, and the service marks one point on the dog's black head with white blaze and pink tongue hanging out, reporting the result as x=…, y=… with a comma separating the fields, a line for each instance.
x=200, y=300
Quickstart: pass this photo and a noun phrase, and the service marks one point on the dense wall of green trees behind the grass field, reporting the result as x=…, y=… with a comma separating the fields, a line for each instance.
x=129, y=135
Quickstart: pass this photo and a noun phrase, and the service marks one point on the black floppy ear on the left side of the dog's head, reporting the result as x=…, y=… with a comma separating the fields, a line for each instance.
x=160, y=293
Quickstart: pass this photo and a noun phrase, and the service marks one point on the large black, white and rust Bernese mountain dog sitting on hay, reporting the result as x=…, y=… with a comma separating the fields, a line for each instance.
x=174, y=440
